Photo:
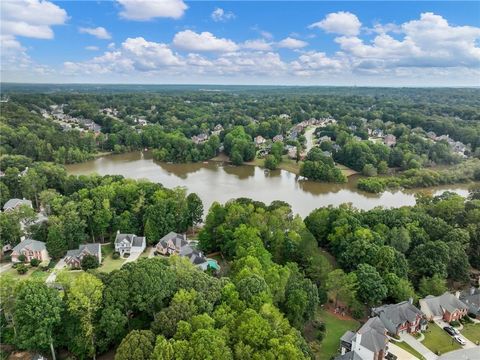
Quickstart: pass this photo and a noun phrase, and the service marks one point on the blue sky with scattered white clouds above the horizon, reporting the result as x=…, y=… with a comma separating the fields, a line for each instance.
x=433, y=43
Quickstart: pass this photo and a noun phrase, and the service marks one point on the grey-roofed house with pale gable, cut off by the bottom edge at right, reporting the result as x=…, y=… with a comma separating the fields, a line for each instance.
x=370, y=342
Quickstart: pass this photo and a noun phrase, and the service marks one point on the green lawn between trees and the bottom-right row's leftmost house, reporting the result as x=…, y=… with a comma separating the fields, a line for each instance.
x=335, y=328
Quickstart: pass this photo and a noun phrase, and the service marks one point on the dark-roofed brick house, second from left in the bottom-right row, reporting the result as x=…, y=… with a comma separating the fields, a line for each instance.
x=401, y=318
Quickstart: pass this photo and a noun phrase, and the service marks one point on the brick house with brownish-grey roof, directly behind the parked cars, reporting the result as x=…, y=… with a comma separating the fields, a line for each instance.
x=447, y=307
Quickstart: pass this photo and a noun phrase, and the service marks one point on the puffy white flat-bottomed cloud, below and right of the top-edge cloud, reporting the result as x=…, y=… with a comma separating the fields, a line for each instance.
x=205, y=41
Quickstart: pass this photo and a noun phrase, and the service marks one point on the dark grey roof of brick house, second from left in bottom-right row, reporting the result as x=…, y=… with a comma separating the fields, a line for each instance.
x=394, y=315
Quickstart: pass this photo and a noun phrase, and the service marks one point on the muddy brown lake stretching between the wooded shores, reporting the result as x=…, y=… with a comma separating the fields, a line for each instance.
x=216, y=181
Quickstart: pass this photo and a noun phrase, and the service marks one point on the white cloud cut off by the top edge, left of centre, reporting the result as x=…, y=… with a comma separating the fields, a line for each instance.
x=144, y=10
